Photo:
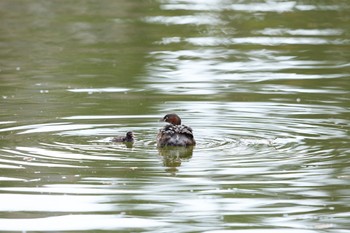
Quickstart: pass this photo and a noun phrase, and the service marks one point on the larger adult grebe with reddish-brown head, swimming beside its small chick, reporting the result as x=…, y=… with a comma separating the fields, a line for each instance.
x=175, y=134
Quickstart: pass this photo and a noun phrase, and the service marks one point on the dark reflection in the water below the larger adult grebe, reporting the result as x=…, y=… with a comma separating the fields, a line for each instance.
x=173, y=156
